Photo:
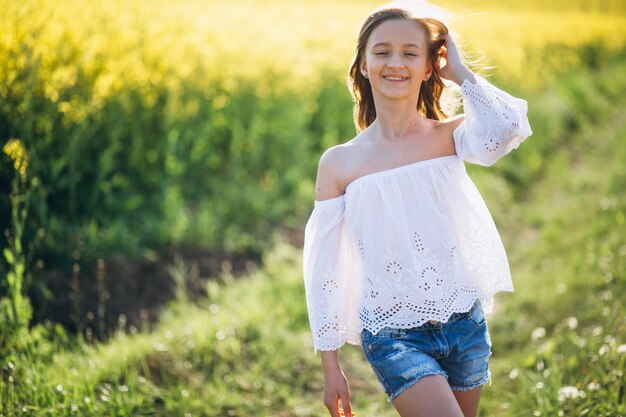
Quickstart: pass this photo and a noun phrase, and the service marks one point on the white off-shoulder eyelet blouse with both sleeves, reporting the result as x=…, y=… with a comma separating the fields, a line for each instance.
x=416, y=242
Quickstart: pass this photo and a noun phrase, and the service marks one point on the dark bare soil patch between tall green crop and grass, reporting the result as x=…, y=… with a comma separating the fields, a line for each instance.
x=117, y=292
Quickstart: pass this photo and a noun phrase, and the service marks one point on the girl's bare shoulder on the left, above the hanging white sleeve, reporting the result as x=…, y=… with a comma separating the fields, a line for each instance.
x=332, y=170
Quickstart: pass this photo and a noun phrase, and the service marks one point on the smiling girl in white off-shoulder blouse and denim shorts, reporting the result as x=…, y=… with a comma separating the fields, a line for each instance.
x=401, y=254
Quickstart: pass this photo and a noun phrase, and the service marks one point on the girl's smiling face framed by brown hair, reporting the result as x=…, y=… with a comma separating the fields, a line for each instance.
x=396, y=59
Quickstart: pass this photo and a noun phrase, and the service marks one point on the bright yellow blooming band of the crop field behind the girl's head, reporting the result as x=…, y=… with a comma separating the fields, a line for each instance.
x=123, y=43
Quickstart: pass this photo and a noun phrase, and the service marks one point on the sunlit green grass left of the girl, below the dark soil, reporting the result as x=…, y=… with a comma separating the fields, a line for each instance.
x=238, y=353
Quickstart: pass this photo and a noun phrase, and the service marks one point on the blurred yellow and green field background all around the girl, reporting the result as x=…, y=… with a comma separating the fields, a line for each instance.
x=157, y=169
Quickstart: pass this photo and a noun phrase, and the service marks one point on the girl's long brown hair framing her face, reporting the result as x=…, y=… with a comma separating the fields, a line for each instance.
x=428, y=103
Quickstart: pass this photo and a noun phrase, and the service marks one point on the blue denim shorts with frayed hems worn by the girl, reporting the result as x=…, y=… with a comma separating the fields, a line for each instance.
x=458, y=349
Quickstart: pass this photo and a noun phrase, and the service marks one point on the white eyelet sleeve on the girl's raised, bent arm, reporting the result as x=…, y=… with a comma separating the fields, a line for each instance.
x=495, y=123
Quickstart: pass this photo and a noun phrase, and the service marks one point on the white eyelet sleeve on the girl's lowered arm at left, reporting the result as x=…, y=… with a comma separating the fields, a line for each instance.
x=330, y=278
